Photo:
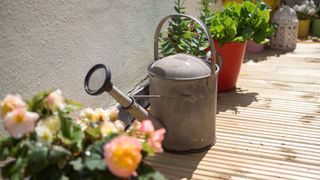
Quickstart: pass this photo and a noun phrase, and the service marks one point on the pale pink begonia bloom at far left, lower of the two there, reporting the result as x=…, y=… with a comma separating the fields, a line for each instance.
x=20, y=122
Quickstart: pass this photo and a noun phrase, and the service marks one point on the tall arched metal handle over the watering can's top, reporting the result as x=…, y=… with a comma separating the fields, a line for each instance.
x=204, y=28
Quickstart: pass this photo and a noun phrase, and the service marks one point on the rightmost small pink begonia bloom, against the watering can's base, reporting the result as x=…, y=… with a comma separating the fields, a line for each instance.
x=155, y=140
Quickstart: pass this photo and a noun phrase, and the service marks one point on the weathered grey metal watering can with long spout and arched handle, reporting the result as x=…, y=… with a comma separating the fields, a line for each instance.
x=183, y=95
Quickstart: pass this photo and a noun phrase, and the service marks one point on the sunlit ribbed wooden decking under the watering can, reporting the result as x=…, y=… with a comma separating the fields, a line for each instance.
x=269, y=128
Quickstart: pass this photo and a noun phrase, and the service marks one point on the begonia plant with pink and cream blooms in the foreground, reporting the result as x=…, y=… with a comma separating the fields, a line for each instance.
x=44, y=142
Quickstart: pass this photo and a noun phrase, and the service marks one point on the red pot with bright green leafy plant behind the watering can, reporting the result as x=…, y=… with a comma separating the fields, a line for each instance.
x=231, y=29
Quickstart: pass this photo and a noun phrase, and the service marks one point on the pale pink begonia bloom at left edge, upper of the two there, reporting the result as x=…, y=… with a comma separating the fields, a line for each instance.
x=10, y=103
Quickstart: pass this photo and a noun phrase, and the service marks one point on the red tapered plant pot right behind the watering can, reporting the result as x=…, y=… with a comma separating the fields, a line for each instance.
x=232, y=58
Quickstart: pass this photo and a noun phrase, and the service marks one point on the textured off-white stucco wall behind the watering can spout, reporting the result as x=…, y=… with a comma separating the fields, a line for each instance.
x=52, y=44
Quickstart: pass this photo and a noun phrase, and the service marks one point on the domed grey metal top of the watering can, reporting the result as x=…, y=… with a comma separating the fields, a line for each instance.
x=180, y=66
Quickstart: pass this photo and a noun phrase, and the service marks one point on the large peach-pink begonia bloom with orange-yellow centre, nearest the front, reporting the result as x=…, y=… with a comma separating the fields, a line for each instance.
x=122, y=156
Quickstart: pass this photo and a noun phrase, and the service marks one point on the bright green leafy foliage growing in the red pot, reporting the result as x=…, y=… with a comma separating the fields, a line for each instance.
x=242, y=22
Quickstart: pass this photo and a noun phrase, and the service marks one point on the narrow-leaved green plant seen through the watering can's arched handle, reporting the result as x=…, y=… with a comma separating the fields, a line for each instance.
x=184, y=35
